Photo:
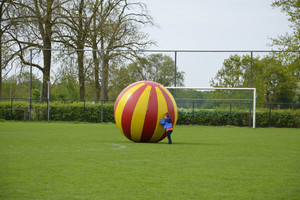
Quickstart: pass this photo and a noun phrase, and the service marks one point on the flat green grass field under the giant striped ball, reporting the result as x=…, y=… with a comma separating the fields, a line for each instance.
x=94, y=161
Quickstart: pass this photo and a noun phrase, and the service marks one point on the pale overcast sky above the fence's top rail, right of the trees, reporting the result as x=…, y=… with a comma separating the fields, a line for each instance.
x=215, y=24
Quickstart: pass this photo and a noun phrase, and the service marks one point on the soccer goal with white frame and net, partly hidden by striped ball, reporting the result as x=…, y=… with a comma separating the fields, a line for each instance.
x=215, y=106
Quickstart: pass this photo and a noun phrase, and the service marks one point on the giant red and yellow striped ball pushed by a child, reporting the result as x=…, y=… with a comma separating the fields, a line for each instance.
x=138, y=110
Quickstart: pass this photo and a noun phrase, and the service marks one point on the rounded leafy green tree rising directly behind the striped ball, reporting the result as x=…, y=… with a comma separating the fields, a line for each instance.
x=155, y=67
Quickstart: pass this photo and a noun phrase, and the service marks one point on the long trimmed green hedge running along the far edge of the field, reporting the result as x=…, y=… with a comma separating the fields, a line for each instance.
x=90, y=112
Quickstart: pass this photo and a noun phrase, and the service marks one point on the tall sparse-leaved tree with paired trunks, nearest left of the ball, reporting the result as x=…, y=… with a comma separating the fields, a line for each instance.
x=117, y=27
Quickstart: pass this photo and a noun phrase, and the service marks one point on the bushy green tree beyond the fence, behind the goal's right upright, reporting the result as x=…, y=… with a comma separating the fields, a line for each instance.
x=273, y=80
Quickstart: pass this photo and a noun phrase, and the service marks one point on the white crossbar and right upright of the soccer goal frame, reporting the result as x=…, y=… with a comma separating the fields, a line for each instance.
x=219, y=88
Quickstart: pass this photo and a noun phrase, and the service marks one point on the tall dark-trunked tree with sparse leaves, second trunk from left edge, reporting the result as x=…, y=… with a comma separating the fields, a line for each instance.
x=36, y=28
